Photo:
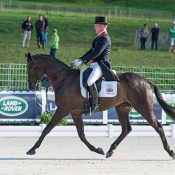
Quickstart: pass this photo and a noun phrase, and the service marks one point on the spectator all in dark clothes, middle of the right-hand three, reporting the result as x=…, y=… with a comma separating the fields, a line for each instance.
x=155, y=36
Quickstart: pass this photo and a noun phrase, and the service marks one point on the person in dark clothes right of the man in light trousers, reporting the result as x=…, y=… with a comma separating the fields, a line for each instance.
x=39, y=27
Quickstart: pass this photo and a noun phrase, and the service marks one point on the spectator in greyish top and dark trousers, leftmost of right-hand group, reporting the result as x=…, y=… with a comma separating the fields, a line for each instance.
x=143, y=36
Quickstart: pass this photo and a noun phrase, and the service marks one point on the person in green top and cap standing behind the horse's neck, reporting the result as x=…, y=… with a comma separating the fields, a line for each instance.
x=54, y=43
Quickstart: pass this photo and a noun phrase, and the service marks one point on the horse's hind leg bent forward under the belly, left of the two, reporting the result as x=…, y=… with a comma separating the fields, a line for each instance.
x=123, y=117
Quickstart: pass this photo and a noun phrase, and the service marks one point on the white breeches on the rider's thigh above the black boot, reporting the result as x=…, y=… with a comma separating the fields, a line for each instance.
x=95, y=74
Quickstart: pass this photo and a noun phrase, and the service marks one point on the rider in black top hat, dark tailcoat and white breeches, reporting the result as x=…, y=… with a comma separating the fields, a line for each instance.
x=98, y=57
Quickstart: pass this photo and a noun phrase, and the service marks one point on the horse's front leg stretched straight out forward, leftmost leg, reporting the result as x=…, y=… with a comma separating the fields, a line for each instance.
x=59, y=114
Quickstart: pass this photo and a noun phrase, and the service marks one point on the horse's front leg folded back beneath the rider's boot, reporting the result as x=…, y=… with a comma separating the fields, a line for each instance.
x=80, y=129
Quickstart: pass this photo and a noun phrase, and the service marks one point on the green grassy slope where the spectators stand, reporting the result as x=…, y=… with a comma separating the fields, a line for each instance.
x=76, y=34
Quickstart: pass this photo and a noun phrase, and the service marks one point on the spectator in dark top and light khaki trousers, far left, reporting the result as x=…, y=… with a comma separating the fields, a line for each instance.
x=26, y=32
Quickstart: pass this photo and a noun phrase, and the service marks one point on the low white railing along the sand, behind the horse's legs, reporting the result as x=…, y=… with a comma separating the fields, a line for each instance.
x=90, y=131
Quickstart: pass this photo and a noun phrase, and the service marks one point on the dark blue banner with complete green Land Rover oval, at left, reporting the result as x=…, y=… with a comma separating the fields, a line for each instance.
x=19, y=106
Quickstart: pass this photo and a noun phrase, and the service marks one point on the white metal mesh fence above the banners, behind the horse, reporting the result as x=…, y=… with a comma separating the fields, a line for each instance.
x=14, y=76
